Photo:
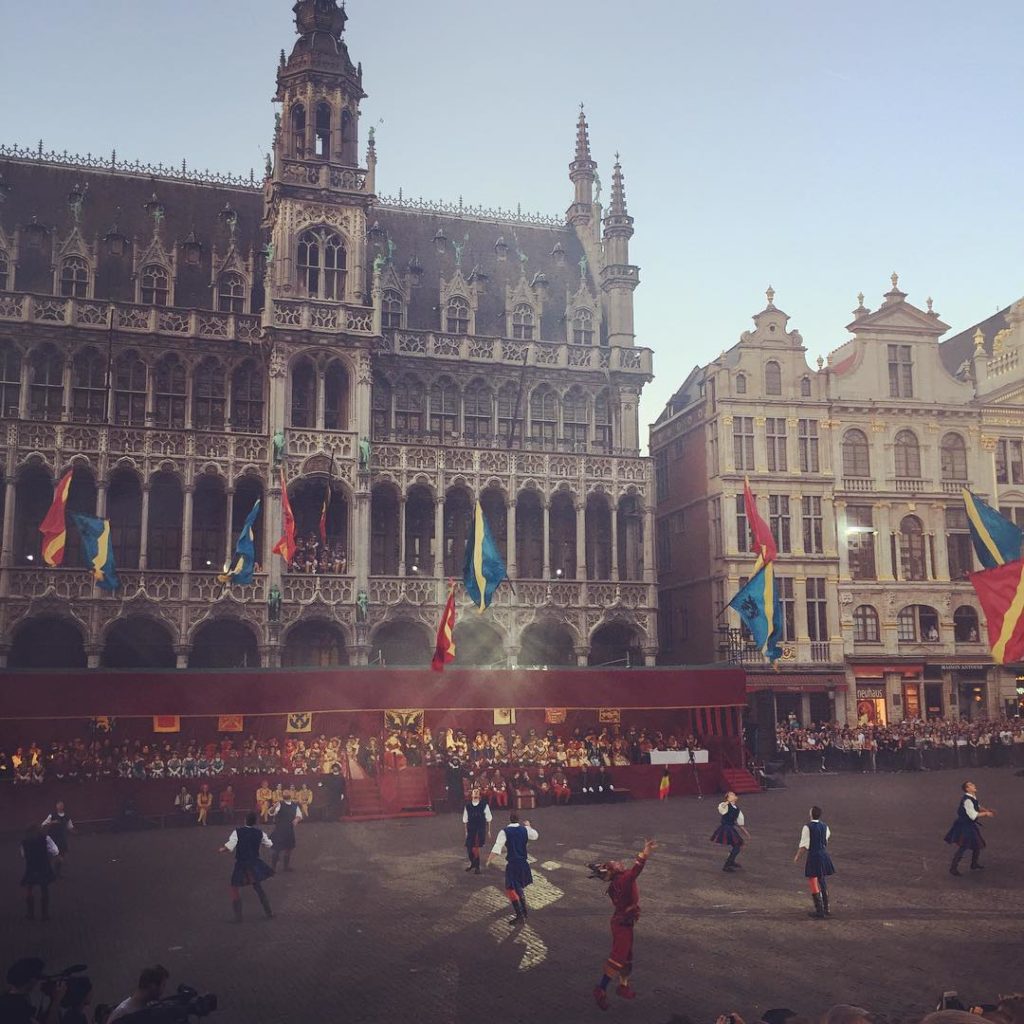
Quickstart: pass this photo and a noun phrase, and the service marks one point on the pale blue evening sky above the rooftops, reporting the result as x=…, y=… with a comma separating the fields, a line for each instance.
x=812, y=145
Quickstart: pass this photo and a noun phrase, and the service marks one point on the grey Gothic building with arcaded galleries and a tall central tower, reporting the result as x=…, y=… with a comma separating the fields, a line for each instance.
x=179, y=339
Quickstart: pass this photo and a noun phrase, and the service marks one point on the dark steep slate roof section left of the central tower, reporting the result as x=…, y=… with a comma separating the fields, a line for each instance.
x=40, y=191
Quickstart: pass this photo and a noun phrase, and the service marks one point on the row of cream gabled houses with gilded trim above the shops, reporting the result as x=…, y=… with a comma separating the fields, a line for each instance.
x=858, y=468
